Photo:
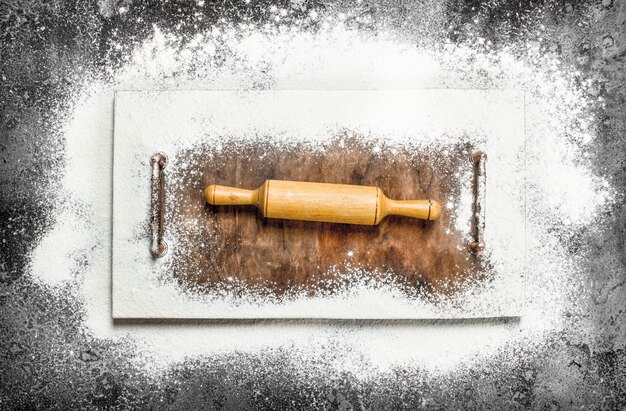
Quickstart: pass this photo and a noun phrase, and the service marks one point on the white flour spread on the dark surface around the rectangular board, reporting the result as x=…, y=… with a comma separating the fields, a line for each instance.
x=564, y=198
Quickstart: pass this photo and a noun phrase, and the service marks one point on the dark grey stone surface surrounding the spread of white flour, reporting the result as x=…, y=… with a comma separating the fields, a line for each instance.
x=47, y=360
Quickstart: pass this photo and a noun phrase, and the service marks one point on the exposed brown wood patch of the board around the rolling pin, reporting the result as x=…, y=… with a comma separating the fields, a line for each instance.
x=217, y=244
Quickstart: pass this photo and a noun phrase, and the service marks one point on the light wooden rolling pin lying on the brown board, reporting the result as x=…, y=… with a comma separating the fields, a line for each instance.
x=331, y=203
